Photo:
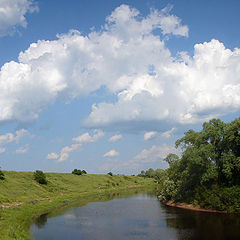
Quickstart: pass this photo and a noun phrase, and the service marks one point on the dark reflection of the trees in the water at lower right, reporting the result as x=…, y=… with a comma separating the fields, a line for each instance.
x=198, y=225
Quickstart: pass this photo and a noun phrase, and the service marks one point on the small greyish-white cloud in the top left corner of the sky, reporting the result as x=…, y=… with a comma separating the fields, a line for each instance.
x=12, y=14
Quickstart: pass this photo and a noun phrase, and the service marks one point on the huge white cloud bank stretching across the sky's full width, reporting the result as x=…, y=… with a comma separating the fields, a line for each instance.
x=134, y=64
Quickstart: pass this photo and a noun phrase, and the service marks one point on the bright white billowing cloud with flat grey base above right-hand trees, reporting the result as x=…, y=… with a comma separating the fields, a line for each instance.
x=182, y=91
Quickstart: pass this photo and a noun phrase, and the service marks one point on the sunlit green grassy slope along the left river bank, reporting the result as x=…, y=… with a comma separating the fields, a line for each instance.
x=22, y=199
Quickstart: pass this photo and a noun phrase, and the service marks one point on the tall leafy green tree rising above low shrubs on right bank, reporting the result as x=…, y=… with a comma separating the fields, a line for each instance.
x=211, y=157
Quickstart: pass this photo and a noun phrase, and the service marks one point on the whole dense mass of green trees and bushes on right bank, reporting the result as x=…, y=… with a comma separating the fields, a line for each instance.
x=208, y=172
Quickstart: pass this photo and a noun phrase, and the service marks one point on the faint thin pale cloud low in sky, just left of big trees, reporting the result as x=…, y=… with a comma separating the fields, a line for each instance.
x=155, y=153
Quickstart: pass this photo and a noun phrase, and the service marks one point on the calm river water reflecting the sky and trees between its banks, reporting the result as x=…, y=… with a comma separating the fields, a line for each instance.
x=139, y=216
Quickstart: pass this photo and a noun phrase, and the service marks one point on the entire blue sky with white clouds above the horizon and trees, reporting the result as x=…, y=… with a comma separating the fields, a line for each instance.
x=111, y=85
